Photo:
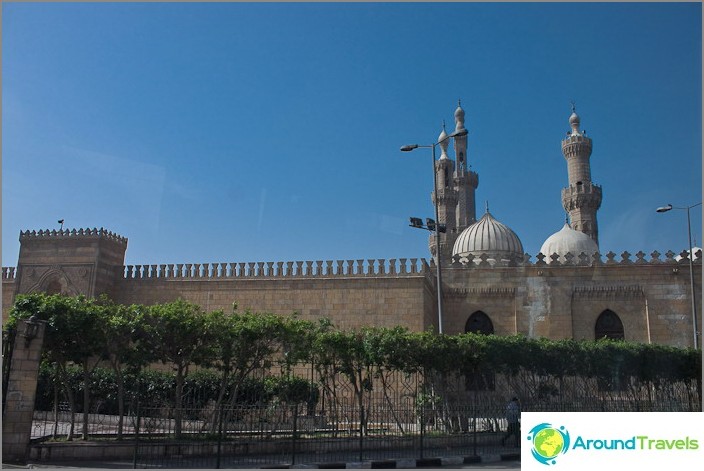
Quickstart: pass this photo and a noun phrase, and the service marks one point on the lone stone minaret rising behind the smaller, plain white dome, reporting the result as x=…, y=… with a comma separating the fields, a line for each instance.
x=582, y=198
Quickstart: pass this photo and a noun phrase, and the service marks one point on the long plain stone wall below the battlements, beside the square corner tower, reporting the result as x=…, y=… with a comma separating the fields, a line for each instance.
x=348, y=301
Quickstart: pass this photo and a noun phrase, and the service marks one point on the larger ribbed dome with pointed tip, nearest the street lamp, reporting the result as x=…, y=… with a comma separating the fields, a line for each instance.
x=488, y=236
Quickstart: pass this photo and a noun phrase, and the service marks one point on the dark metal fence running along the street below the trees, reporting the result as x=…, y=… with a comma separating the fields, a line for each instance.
x=385, y=416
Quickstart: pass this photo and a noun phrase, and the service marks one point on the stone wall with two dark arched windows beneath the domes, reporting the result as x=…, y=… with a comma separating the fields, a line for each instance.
x=561, y=301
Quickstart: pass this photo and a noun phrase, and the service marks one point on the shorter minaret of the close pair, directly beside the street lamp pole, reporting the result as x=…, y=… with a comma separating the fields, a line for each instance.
x=447, y=201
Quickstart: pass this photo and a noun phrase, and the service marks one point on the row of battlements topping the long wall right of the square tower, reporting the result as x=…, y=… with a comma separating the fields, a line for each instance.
x=294, y=269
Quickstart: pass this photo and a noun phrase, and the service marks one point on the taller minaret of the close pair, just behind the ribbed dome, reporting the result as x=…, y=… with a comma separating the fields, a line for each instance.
x=466, y=181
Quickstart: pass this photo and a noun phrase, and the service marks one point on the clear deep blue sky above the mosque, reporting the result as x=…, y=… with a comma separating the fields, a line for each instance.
x=227, y=132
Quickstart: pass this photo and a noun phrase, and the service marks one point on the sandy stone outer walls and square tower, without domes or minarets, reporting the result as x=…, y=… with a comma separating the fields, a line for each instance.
x=649, y=294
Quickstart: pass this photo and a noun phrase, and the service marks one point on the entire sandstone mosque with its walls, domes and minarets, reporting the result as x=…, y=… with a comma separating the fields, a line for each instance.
x=487, y=284
